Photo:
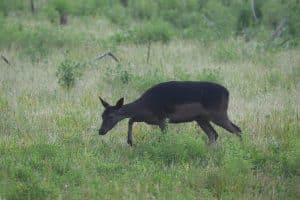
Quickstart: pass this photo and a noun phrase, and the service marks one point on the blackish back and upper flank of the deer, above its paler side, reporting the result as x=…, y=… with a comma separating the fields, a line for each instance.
x=165, y=96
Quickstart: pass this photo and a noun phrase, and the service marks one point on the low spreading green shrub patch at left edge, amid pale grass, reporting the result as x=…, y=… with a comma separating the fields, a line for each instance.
x=35, y=42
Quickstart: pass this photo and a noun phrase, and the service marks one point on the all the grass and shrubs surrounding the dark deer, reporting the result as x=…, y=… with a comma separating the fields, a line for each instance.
x=50, y=112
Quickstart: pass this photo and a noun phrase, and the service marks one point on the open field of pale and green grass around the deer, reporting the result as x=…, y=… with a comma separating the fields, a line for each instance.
x=49, y=142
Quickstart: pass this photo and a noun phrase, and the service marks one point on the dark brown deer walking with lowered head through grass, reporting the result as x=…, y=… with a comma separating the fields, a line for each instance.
x=175, y=102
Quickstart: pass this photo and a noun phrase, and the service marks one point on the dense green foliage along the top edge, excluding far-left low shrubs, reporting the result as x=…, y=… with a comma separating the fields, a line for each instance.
x=203, y=20
